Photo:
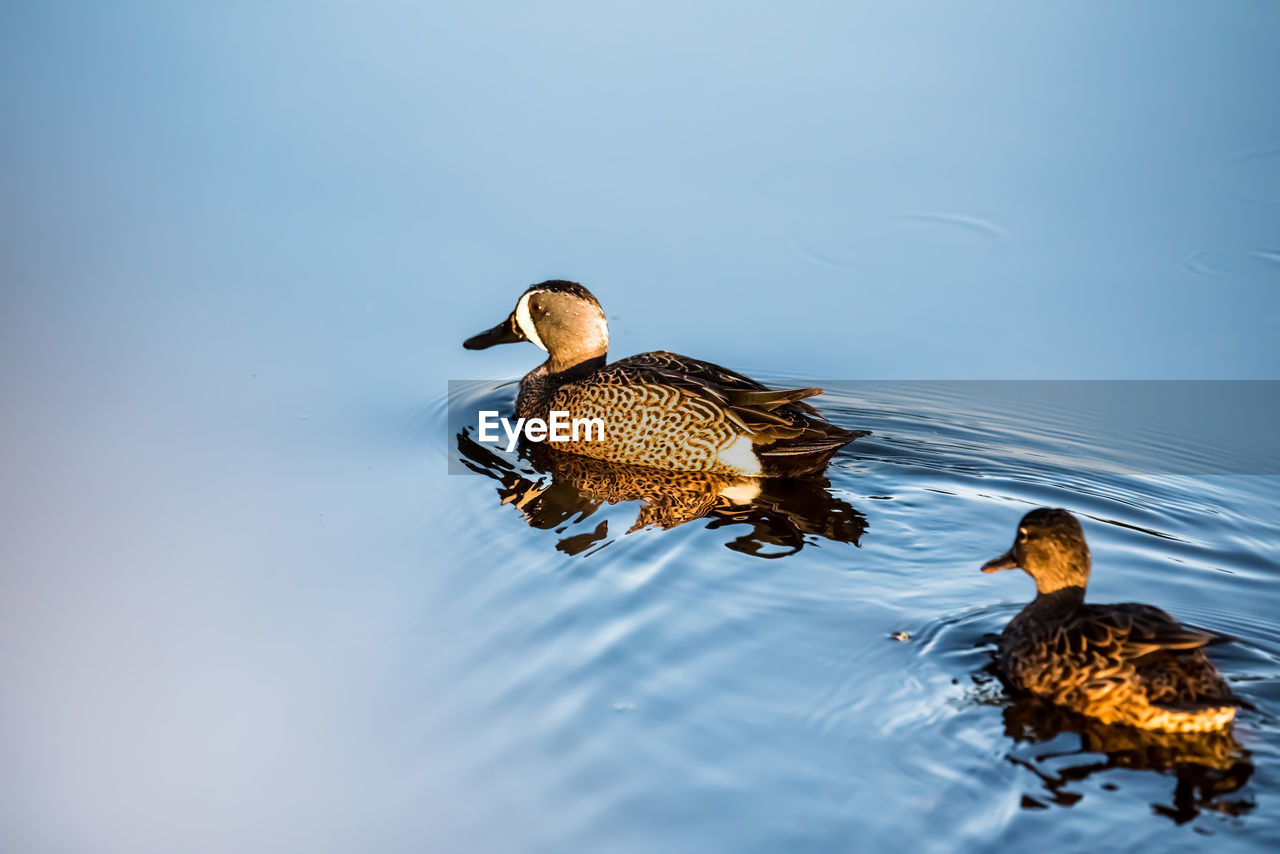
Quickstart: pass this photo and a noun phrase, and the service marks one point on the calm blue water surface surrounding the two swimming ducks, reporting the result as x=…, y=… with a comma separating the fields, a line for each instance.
x=245, y=608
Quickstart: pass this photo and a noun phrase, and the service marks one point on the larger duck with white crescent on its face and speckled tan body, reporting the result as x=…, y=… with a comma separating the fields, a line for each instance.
x=660, y=409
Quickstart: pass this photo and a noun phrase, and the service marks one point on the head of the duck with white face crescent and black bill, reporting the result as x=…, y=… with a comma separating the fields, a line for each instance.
x=563, y=318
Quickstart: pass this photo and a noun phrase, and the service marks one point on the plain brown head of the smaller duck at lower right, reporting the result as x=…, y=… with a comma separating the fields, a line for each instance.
x=1050, y=547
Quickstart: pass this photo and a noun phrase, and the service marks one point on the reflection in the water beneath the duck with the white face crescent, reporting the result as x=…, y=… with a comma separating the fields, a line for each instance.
x=565, y=490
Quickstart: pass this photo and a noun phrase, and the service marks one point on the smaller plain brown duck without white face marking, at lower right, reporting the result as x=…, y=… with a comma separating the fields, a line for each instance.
x=1126, y=664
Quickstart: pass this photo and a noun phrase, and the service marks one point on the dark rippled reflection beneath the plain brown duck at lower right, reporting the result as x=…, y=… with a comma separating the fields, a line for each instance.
x=1206, y=768
